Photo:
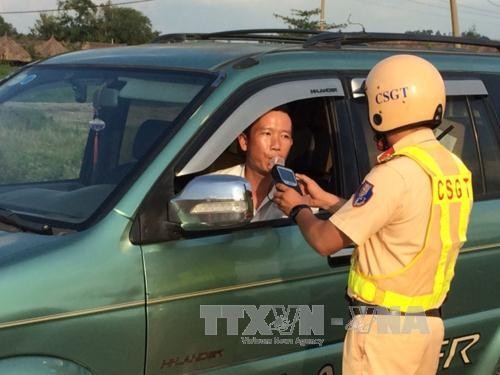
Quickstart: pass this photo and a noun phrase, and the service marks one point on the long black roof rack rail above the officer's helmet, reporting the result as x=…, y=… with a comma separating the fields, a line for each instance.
x=337, y=39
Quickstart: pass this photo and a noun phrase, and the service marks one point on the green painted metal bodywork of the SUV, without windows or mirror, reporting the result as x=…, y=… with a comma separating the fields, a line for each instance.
x=94, y=300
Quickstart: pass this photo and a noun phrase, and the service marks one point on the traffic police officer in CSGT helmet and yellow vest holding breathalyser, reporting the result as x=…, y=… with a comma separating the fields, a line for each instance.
x=408, y=220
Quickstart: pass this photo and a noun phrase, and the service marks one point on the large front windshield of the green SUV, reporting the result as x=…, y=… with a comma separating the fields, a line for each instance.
x=69, y=135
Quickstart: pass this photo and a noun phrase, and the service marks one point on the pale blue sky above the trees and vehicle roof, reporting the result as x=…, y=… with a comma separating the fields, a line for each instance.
x=170, y=16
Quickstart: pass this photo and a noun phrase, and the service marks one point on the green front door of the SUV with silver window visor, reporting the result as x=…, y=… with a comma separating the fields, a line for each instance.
x=252, y=299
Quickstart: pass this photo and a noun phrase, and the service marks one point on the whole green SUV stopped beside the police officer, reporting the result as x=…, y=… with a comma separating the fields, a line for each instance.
x=118, y=255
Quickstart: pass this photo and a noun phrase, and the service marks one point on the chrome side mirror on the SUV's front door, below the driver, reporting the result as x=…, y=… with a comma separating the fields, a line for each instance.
x=212, y=202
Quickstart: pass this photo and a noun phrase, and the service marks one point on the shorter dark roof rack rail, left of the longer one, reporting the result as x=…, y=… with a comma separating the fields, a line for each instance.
x=260, y=35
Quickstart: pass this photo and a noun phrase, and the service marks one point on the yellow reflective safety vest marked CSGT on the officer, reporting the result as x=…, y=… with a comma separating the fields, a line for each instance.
x=446, y=232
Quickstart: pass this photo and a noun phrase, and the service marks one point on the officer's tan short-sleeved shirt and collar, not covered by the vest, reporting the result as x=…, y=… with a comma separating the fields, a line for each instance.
x=390, y=227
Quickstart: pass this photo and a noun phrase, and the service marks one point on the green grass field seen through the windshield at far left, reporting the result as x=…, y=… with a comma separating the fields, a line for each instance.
x=38, y=145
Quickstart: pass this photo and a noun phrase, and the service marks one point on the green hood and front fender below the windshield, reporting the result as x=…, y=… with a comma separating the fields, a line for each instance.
x=60, y=293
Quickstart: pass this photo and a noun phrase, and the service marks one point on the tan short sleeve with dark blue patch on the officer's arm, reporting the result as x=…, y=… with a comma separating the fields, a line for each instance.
x=375, y=203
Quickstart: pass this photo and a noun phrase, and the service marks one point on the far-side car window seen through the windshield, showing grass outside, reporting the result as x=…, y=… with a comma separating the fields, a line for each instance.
x=46, y=131
